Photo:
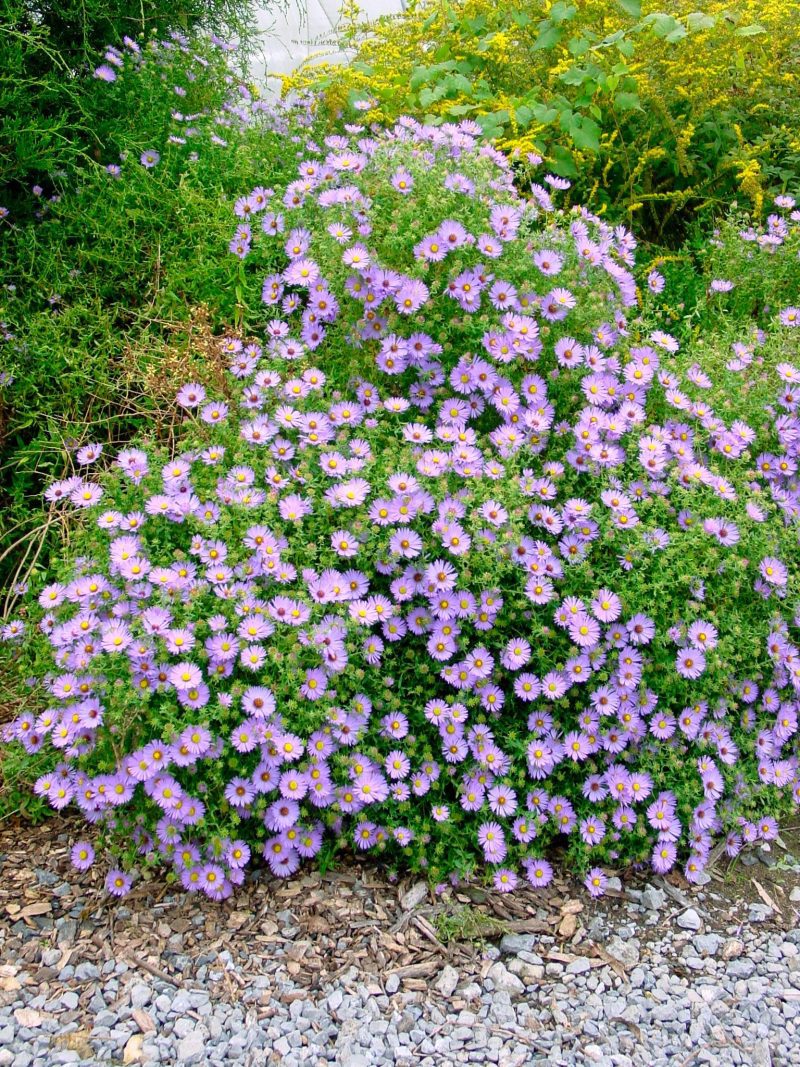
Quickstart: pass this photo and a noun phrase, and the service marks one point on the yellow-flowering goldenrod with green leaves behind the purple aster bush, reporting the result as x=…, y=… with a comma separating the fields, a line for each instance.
x=659, y=115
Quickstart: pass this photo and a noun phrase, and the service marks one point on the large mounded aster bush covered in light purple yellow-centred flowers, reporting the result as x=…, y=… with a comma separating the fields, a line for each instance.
x=470, y=559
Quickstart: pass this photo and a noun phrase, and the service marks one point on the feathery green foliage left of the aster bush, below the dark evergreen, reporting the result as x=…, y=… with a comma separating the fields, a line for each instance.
x=103, y=281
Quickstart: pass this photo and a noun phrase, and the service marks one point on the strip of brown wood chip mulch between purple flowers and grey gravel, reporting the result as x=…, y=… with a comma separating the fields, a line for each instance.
x=345, y=925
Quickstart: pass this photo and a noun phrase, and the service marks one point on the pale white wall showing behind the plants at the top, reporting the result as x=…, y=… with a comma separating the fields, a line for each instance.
x=308, y=27
